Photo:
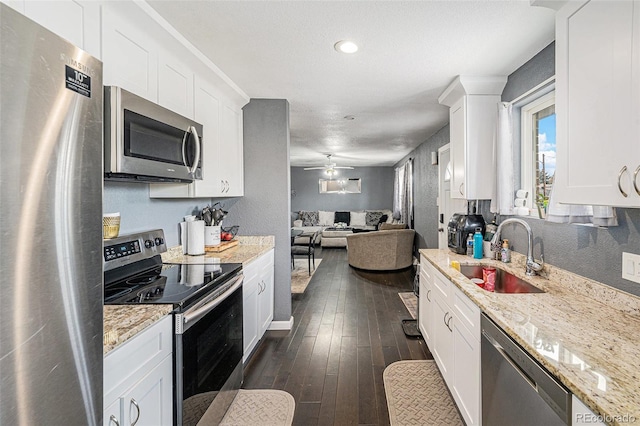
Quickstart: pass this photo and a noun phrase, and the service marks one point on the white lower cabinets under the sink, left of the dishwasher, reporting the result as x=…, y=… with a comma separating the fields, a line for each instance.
x=453, y=338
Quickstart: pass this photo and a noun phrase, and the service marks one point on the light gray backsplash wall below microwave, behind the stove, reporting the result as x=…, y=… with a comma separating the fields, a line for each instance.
x=138, y=212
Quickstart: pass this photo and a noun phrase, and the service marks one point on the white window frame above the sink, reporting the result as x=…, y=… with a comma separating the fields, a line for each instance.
x=527, y=140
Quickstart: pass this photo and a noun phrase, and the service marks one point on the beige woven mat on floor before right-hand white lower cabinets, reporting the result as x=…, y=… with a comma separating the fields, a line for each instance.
x=417, y=395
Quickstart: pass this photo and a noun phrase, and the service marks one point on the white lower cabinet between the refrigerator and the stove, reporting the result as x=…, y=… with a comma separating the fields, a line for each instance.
x=138, y=379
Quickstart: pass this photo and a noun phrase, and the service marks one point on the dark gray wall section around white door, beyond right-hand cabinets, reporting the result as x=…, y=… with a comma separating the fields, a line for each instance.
x=425, y=189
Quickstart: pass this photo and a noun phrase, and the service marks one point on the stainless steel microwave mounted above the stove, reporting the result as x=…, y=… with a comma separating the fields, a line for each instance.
x=145, y=142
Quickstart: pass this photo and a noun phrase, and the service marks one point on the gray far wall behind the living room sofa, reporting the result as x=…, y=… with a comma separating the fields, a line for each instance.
x=377, y=190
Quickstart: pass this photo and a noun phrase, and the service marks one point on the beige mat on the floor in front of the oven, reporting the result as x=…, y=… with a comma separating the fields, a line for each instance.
x=260, y=408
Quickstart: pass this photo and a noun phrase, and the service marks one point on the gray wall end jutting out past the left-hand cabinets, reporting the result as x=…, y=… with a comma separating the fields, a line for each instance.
x=265, y=207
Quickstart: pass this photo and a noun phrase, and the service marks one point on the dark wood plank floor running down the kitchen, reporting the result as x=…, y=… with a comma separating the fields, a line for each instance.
x=347, y=330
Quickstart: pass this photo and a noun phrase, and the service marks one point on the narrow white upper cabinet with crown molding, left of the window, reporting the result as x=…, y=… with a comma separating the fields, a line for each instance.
x=473, y=112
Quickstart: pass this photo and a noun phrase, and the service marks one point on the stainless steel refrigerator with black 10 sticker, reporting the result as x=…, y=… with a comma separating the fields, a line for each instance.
x=50, y=228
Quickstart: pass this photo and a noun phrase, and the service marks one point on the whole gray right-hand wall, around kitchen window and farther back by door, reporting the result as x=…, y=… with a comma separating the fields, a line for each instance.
x=595, y=253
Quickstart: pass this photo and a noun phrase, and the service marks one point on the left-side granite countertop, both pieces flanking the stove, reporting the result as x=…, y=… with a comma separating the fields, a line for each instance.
x=121, y=323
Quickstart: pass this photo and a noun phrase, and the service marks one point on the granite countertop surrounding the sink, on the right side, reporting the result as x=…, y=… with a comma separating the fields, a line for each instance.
x=584, y=332
